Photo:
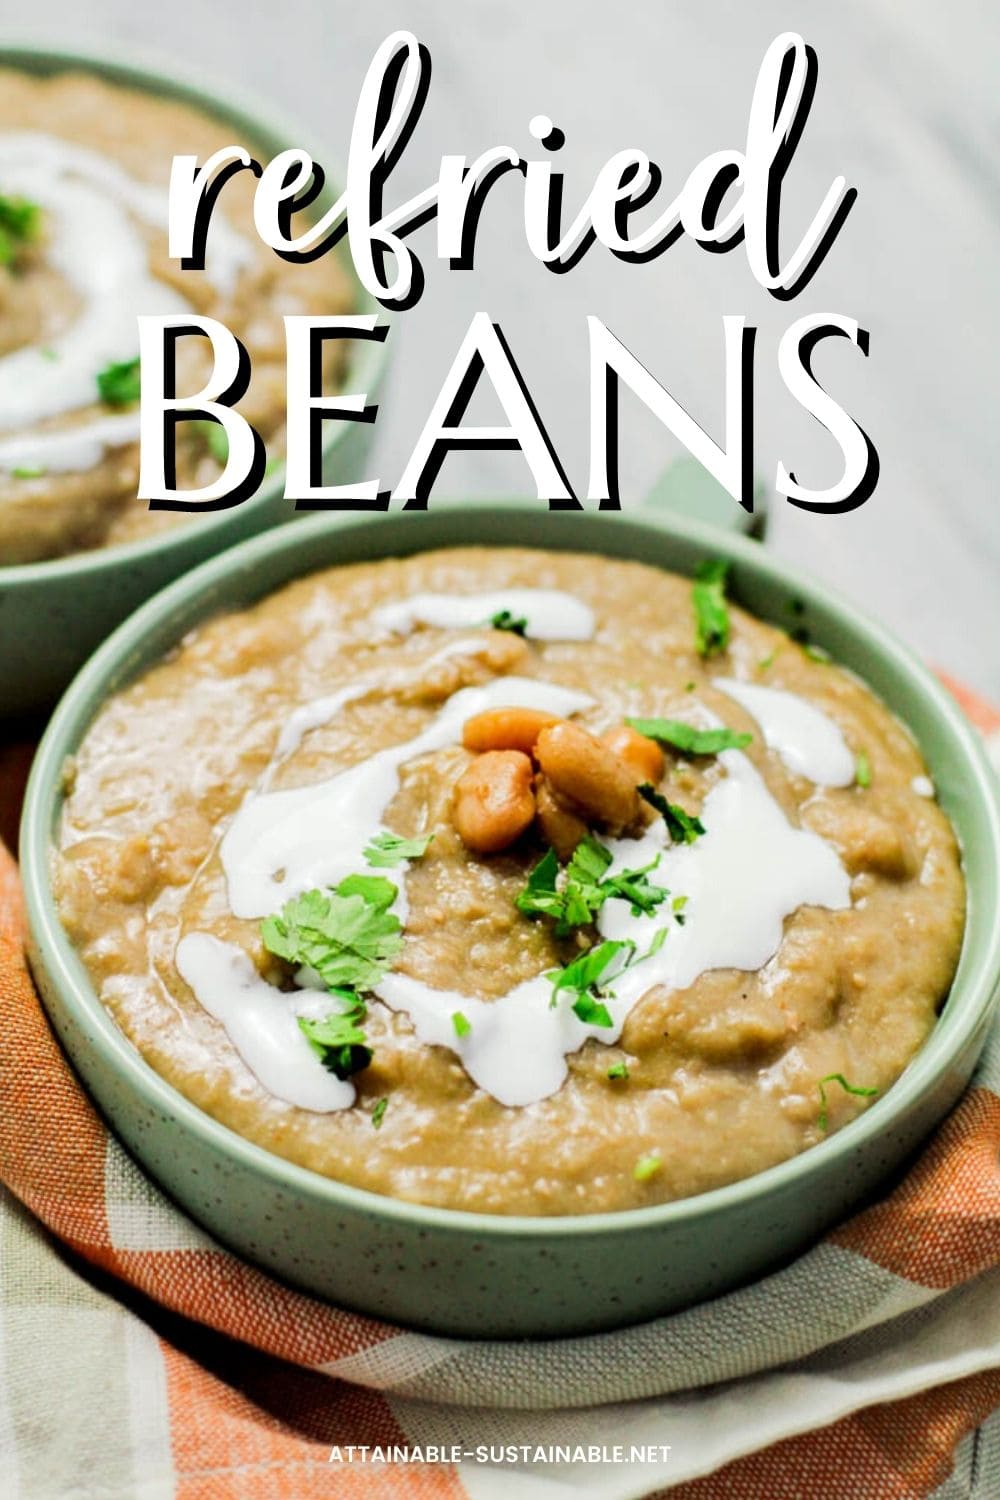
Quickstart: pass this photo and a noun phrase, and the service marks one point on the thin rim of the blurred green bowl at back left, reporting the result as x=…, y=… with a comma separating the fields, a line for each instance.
x=367, y=365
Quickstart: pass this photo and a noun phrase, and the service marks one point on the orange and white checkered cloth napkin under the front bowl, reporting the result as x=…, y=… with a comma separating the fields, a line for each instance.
x=140, y=1358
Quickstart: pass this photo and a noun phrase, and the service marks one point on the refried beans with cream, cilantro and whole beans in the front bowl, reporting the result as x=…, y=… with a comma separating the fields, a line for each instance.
x=510, y=881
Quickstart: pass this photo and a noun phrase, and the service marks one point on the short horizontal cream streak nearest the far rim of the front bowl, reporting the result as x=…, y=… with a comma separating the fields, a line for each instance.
x=551, y=614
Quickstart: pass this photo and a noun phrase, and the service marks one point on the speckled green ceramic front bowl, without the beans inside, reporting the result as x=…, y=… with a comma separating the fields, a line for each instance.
x=467, y=1274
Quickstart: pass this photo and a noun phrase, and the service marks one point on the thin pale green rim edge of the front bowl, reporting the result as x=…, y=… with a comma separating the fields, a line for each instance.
x=954, y=1030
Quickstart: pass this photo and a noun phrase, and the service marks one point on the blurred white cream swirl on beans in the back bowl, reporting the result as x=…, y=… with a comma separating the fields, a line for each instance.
x=95, y=215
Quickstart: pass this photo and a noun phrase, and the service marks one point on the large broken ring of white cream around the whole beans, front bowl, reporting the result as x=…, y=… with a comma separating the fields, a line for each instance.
x=750, y=863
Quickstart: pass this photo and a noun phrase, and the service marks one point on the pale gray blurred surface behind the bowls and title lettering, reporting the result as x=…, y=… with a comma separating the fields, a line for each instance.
x=906, y=109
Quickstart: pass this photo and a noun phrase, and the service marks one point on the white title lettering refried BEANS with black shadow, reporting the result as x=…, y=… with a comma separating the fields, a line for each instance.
x=729, y=199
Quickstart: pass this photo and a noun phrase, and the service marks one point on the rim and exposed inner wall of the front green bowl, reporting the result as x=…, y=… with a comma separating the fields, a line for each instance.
x=963, y=778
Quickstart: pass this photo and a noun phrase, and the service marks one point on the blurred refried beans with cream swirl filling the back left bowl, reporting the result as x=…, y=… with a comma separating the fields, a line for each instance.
x=85, y=169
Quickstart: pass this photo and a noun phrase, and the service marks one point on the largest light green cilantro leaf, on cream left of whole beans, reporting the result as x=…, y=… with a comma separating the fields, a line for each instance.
x=347, y=935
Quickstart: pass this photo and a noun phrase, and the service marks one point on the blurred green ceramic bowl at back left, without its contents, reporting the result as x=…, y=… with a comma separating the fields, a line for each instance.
x=55, y=614
